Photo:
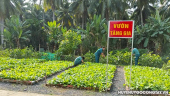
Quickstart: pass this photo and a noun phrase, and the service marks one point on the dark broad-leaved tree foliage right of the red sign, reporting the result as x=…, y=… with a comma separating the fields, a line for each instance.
x=156, y=32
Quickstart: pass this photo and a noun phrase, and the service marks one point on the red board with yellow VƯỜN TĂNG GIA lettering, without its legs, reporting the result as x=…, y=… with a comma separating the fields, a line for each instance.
x=120, y=29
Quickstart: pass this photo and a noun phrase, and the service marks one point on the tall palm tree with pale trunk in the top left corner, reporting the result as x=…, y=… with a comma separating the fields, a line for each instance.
x=7, y=8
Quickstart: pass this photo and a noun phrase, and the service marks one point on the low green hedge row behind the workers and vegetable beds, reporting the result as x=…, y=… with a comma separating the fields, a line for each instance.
x=121, y=57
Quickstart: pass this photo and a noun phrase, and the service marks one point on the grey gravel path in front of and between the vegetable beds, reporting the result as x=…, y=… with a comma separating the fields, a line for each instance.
x=40, y=87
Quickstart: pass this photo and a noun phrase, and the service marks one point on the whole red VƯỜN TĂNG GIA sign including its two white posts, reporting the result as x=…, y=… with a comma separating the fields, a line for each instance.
x=120, y=29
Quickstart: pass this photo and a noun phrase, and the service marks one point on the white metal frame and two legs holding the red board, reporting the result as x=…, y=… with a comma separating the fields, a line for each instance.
x=119, y=37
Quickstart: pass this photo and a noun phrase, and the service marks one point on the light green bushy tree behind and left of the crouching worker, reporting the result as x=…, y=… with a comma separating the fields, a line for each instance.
x=70, y=42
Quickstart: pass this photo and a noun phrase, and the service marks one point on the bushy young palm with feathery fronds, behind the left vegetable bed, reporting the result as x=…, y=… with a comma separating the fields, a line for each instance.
x=16, y=31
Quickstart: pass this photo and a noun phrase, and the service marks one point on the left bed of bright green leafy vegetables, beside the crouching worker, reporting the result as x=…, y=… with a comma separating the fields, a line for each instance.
x=36, y=71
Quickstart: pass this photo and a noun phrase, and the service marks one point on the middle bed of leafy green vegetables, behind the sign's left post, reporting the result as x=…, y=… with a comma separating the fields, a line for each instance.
x=88, y=75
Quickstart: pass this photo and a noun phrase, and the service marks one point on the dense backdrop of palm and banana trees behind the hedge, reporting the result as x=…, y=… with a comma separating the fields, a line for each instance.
x=87, y=18
